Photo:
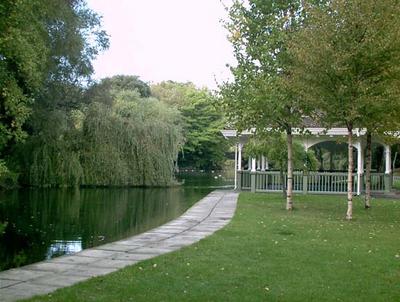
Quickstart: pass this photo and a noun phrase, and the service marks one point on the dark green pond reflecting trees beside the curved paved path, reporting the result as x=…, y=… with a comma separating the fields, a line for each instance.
x=46, y=223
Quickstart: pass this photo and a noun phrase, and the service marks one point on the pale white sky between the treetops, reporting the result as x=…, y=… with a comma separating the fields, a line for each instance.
x=157, y=40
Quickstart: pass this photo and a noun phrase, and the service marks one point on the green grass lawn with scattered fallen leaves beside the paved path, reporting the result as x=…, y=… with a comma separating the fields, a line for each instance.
x=268, y=254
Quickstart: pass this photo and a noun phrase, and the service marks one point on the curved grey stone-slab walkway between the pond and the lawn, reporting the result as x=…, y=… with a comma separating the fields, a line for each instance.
x=207, y=216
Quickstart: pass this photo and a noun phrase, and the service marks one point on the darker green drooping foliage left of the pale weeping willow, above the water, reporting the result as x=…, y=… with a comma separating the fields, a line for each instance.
x=51, y=157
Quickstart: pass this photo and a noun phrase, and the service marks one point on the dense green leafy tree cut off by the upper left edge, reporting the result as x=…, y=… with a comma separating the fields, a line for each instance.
x=23, y=56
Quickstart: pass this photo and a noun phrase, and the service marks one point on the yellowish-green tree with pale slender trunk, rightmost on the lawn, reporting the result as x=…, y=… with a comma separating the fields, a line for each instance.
x=346, y=59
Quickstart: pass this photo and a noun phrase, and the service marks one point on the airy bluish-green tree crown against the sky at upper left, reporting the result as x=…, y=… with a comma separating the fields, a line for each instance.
x=76, y=37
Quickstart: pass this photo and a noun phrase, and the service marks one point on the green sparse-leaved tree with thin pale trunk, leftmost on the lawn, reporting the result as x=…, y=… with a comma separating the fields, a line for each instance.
x=258, y=97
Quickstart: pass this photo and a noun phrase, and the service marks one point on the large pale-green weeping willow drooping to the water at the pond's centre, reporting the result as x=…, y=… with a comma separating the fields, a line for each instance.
x=133, y=142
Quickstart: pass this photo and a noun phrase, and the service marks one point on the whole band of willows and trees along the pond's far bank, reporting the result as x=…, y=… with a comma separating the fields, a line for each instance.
x=119, y=134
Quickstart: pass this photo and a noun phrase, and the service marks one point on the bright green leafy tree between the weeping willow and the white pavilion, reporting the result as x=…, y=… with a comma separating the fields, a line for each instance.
x=204, y=146
